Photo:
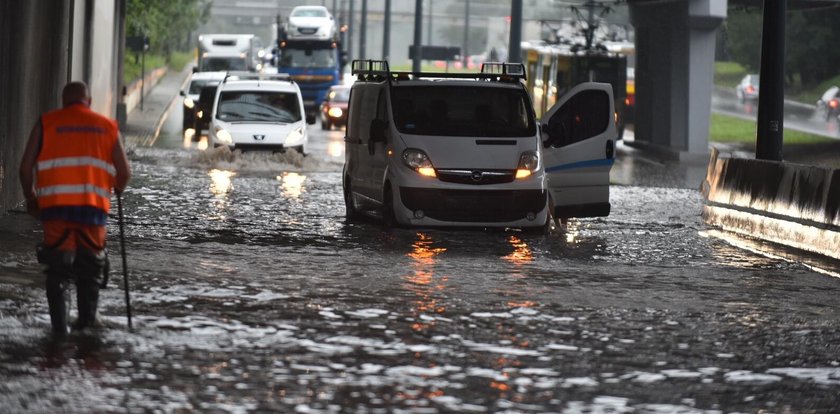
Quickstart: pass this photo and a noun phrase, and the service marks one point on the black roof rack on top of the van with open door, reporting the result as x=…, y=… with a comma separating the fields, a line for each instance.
x=378, y=69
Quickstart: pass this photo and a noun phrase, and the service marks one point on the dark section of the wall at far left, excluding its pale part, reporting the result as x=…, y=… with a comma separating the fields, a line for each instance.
x=33, y=69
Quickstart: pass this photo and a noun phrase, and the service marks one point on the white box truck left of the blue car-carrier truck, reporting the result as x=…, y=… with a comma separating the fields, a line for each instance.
x=228, y=52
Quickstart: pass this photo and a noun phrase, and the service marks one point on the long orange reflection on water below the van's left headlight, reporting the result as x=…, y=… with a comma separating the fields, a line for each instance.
x=422, y=282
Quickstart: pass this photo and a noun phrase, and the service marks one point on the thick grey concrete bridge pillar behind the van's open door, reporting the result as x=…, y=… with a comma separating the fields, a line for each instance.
x=675, y=45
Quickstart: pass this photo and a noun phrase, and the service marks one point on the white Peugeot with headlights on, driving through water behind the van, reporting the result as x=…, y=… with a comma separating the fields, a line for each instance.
x=259, y=112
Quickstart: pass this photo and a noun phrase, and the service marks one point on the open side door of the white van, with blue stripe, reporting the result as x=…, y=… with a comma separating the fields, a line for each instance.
x=578, y=135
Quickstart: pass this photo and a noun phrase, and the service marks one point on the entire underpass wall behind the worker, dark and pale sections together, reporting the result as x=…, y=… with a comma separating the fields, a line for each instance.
x=43, y=45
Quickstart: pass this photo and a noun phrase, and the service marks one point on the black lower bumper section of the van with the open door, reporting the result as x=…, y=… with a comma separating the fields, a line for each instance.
x=471, y=206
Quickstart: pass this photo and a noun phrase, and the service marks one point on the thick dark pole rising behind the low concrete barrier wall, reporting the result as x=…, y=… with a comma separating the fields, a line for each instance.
x=771, y=110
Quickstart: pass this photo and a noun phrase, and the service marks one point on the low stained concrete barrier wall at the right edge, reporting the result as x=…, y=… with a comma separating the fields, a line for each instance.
x=789, y=204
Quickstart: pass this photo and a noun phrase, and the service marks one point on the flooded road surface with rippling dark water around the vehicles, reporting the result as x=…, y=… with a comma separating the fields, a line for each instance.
x=251, y=293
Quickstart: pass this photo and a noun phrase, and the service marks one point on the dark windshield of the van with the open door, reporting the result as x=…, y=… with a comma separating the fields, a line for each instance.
x=473, y=111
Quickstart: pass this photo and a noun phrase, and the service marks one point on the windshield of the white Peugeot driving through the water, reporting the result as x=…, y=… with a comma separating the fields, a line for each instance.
x=249, y=106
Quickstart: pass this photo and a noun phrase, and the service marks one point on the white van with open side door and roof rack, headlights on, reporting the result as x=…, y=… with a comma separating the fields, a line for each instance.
x=447, y=149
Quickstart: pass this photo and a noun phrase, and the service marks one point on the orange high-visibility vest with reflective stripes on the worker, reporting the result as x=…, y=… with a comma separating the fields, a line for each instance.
x=75, y=166
